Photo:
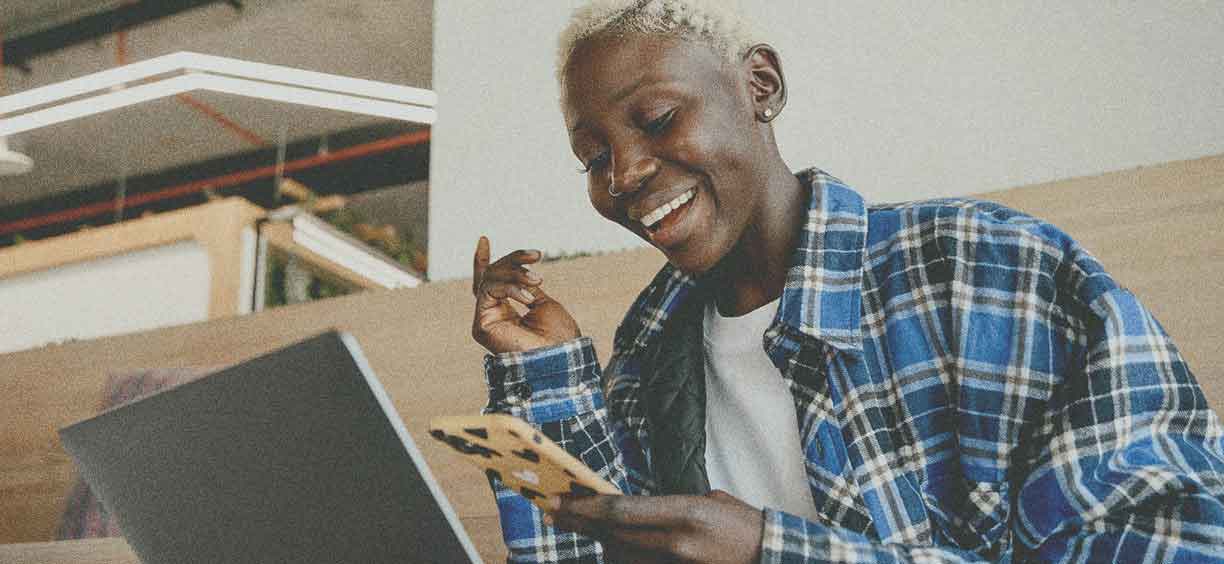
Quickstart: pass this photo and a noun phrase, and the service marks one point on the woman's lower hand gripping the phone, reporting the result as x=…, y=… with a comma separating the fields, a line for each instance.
x=717, y=528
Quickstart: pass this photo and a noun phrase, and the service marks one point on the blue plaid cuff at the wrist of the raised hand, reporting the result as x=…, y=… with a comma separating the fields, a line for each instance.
x=545, y=385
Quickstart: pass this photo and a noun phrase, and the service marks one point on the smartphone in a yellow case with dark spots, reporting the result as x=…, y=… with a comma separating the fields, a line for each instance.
x=520, y=456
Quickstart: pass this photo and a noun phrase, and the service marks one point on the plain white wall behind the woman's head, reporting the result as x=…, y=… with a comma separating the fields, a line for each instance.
x=903, y=101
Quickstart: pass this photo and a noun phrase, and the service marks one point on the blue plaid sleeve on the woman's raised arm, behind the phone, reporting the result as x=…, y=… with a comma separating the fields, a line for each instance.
x=556, y=390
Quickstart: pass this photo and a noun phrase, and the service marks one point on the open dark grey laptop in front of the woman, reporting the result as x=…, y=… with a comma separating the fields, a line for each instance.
x=296, y=457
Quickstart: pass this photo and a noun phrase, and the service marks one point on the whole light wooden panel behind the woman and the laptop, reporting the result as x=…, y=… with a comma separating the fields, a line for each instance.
x=1157, y=229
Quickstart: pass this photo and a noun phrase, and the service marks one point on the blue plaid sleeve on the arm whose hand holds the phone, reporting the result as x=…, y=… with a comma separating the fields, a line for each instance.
x=1125, y=466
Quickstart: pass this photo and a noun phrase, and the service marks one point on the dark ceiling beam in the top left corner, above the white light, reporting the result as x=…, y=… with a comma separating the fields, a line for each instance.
x=20, y=51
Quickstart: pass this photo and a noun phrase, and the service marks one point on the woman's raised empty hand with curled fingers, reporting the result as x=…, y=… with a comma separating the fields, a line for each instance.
x=498, y=326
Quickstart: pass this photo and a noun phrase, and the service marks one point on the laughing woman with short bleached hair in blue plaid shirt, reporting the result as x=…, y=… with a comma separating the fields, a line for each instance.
x=958, y=371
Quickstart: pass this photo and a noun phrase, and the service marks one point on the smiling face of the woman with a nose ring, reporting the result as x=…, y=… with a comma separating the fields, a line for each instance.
x=671, y=127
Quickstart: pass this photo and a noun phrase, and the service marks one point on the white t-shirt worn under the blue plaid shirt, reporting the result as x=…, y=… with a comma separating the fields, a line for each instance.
x=752, y=436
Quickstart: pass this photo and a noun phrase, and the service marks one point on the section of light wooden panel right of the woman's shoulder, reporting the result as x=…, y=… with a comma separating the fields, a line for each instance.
x=1160, y=231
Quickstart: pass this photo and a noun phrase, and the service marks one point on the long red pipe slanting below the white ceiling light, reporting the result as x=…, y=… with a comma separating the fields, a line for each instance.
x=217, y=183
